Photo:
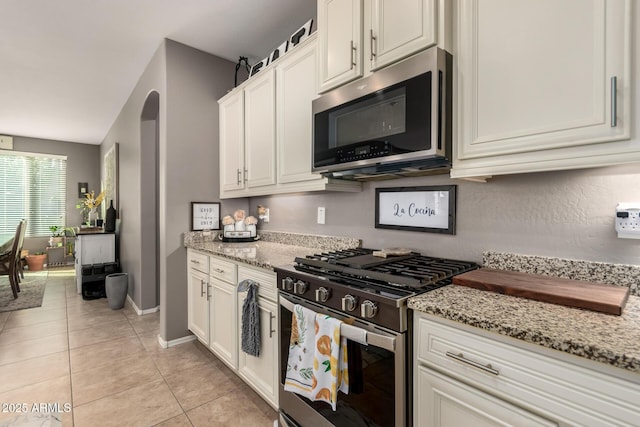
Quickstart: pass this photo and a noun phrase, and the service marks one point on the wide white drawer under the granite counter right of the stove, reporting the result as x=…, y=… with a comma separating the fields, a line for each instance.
x=543, y=384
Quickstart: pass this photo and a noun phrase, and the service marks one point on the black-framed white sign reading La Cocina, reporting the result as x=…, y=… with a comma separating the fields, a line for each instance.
x=427, y=209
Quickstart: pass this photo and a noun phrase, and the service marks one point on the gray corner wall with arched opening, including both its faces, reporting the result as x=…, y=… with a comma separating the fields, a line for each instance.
x=189, y=83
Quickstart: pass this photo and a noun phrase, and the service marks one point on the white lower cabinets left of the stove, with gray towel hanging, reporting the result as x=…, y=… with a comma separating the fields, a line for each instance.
x=215, y=318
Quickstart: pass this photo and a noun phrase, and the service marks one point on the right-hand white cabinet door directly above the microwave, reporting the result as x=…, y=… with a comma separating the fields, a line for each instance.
x=400, y=28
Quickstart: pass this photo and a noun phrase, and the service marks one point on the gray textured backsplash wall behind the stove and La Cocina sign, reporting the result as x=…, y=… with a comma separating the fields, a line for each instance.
x=566, y=214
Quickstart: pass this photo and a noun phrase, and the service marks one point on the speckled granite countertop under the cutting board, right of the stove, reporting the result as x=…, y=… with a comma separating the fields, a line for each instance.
x=610, y=339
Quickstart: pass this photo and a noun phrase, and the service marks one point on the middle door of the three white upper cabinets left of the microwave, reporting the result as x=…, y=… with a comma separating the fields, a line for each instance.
x=260, y=131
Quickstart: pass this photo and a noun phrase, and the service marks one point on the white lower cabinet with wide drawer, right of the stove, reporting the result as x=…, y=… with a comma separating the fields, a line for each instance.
x=464, y=378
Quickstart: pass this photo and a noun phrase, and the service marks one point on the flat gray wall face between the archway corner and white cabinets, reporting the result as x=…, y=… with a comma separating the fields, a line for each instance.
x=188, y=166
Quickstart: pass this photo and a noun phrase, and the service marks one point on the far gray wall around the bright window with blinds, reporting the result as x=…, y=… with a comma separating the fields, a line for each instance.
x=83, y=165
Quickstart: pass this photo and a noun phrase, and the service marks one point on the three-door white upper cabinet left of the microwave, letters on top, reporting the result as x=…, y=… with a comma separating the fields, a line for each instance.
x=266, y=130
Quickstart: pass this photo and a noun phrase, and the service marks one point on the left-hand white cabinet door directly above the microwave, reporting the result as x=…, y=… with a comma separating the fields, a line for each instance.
x=339, y=42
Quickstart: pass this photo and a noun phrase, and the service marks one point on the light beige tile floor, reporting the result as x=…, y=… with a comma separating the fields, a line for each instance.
x=107, y=366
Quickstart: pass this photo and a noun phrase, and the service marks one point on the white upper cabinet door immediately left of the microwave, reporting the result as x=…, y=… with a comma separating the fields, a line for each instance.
x=295, y=88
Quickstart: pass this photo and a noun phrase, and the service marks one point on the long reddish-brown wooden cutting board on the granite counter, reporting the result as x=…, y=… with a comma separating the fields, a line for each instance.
x=591, y=296
